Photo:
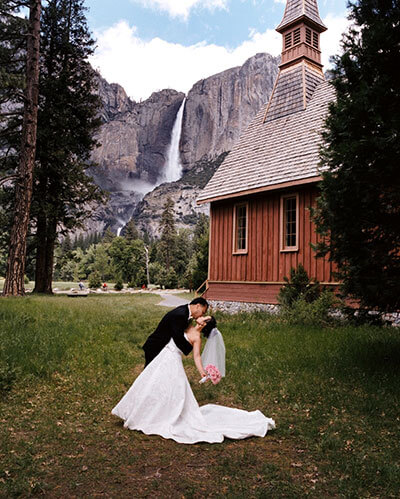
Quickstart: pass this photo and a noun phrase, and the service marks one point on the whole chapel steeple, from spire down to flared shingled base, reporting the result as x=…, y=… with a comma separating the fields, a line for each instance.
x=300, y=71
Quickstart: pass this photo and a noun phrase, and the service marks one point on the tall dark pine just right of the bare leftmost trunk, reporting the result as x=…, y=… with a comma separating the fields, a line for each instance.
x=67, y=122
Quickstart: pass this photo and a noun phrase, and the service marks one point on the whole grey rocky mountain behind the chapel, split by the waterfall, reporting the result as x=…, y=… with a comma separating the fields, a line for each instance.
x=135, y=137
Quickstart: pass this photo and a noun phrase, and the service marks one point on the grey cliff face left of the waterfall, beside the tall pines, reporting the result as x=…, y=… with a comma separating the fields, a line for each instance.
x=134, y=138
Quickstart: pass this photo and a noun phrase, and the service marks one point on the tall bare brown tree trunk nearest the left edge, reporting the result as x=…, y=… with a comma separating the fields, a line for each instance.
x=14, y=283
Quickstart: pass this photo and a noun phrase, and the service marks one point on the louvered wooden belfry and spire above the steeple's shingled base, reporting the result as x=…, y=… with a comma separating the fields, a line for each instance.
x=301, y=27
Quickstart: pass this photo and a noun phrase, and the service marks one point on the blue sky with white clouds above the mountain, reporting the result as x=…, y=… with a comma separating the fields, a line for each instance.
x=149, y=45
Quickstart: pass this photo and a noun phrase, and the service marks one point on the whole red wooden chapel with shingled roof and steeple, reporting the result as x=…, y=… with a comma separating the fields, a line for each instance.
x=260, y=222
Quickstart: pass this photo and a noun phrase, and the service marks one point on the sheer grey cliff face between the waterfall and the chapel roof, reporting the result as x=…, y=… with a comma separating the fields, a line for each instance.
x=219, y=109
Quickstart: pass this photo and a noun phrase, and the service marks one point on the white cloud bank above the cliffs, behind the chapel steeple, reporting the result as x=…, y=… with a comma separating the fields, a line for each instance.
x=143, y=67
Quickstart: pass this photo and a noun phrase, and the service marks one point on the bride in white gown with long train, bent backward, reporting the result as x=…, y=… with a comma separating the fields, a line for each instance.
x=161, y=402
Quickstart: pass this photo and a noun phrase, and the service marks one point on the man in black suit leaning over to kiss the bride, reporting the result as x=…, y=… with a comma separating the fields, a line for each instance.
x=173, y=325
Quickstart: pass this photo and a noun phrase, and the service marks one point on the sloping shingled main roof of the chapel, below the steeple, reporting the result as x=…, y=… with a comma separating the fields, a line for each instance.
x=274, y=152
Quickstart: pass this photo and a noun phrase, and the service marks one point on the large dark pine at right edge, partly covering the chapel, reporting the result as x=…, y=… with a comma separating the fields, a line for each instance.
x=359, y=207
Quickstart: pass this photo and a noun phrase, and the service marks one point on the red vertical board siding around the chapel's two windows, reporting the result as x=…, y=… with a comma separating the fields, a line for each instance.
x=264, y=262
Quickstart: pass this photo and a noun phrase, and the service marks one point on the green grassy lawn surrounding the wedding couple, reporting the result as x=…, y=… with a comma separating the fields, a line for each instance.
x=334, y=394
